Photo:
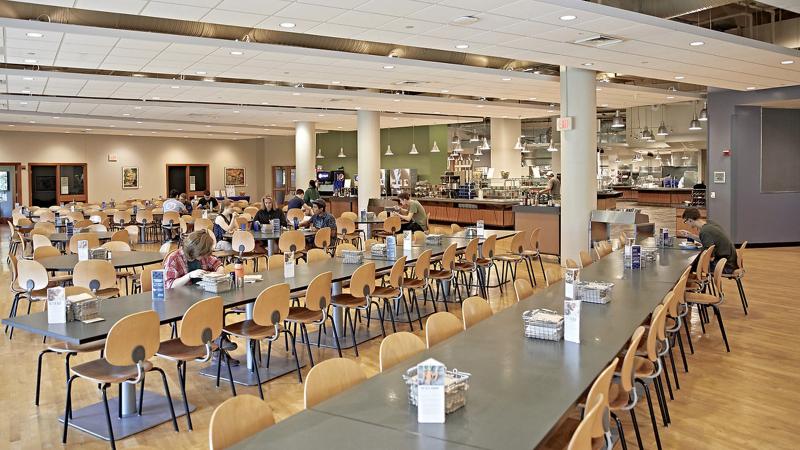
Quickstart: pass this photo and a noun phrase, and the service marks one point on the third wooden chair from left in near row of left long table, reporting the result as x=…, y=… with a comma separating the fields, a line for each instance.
x=270, y=309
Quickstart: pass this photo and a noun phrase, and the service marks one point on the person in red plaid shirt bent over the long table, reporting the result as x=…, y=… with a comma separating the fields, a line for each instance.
x=189, y=263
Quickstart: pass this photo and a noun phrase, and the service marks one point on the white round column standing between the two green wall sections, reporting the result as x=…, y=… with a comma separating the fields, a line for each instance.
x=369, y=157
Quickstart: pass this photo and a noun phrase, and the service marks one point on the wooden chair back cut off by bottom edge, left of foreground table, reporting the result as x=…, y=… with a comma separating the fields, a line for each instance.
x=236, y=419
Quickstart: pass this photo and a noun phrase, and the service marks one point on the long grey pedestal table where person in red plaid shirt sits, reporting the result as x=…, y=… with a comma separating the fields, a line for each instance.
x=171, y=309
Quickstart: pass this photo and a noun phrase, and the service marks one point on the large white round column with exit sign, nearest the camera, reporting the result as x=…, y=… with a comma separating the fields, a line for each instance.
x=578, y=159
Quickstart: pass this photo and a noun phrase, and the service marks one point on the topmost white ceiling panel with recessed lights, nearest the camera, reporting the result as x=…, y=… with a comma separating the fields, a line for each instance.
x=518, y=29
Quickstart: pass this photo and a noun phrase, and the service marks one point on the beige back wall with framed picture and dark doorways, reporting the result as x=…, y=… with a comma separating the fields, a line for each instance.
x=150, y=154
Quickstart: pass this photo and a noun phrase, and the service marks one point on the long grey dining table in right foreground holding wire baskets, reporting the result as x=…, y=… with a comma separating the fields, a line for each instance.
x=519, y=388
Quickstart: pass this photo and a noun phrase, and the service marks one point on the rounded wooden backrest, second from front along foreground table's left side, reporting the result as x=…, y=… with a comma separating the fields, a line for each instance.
x=329, y=378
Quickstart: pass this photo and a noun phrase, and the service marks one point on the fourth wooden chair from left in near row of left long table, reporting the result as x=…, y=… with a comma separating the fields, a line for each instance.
x=314, y=312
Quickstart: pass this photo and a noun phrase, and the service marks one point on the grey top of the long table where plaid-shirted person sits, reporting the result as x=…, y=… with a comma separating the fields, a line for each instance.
x=178, y=300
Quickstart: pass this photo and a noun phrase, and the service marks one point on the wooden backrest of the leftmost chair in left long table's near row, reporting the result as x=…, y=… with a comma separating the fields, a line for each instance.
x=133, y=339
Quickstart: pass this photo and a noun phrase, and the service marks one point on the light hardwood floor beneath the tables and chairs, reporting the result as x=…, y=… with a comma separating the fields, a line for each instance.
x=746, y=399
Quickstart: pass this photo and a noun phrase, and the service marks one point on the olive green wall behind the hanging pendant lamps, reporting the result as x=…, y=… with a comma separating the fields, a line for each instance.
x=429, y=165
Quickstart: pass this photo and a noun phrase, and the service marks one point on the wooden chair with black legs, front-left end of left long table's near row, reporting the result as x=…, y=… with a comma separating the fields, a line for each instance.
x=130, y=343
